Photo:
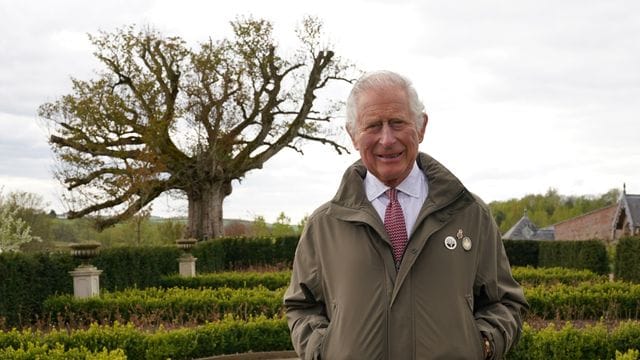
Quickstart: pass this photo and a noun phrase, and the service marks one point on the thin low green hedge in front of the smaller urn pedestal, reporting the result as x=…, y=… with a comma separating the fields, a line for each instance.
x=235, y=280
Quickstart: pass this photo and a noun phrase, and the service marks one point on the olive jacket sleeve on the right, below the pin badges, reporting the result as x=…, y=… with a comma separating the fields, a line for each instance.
x=499, y=303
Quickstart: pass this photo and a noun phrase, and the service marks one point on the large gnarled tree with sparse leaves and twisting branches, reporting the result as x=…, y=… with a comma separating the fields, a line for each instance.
x=163, y=117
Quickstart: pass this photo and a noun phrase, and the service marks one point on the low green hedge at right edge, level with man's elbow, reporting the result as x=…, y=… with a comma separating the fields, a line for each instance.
x=611, y=300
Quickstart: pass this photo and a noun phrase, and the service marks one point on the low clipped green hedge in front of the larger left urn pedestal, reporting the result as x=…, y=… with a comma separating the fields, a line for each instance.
x=156, y=306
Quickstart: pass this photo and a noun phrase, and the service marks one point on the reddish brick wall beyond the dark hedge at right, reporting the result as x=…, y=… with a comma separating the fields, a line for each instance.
x=597, y=224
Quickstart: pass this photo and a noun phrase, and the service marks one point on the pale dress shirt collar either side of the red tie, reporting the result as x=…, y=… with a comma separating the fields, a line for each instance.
x=412, y=192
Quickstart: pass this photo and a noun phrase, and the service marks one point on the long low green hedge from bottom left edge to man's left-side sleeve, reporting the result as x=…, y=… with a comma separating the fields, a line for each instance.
x=227, y=336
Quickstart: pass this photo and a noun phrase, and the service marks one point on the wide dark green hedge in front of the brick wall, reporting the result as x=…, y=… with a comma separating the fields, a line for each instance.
x=591, y=254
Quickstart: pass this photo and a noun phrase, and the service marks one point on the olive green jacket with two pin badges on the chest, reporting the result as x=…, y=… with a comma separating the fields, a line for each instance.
x=347, y=301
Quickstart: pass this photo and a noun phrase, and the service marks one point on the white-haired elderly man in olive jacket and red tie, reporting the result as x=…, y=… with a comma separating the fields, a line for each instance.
x=404, y=262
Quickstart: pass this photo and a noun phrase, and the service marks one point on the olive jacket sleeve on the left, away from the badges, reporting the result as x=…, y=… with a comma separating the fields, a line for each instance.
x=304, y=301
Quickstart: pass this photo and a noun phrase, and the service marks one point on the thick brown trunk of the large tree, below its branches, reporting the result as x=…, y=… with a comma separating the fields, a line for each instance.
x=205, y=211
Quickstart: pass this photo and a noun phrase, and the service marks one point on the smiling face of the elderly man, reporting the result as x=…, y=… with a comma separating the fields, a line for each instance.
x=386, y=135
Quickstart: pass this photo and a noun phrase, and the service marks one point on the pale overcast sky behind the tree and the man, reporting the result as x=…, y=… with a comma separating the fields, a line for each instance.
x=522, y=96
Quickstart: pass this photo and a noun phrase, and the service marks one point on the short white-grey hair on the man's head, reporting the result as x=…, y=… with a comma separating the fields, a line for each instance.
x=377, y=80
